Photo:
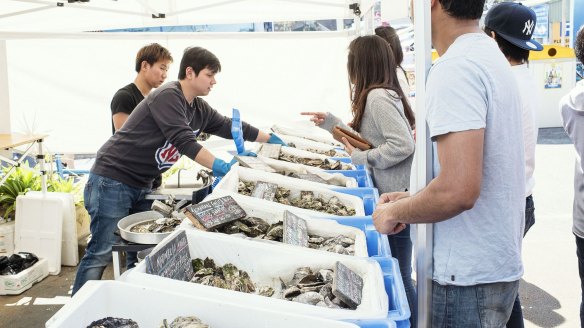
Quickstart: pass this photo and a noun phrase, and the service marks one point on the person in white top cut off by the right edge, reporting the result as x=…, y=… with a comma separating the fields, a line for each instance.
x=572, y=110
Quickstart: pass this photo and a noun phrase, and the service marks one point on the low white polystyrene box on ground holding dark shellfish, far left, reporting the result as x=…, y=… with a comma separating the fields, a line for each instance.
x=17, y=283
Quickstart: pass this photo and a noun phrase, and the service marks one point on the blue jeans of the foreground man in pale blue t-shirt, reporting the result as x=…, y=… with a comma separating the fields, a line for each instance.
x=484, y=306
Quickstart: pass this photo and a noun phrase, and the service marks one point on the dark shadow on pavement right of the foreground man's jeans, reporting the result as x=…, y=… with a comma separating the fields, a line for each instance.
x=539, y=307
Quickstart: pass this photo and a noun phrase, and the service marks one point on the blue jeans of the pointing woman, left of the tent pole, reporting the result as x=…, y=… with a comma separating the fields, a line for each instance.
x=401, y=248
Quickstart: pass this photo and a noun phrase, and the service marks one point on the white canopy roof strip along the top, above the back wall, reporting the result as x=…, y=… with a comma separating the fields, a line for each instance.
x=61, y=16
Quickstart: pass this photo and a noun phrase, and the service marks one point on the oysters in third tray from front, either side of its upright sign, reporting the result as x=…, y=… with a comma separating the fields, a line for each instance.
x=257, y=228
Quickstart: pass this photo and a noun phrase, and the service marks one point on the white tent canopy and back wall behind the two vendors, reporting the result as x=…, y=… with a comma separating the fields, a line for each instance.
x=60, y=80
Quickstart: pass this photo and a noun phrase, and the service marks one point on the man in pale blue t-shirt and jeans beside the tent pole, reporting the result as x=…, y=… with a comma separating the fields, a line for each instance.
x=477, y=197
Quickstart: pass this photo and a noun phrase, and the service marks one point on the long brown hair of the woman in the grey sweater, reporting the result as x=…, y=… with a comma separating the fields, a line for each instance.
x=371, y=65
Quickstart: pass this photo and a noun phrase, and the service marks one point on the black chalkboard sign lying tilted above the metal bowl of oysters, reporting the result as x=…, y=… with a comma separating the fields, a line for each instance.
x=214, y=213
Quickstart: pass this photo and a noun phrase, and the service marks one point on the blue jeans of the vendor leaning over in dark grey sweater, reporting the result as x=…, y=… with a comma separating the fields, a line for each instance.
x=107, y=201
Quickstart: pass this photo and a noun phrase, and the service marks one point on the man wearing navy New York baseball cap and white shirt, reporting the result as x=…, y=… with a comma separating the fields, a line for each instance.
x=512, y=25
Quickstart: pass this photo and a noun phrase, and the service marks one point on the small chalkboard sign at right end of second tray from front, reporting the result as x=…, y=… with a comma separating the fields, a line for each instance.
x=347, y=285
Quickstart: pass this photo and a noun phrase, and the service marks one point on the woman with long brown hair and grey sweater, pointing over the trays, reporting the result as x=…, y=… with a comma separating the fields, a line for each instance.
x=382, y=116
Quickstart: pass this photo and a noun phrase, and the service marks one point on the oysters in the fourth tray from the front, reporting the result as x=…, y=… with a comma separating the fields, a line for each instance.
x=307, y=200
